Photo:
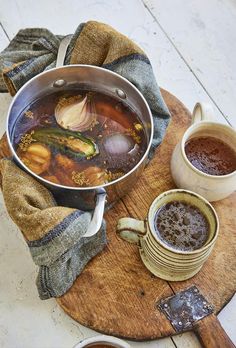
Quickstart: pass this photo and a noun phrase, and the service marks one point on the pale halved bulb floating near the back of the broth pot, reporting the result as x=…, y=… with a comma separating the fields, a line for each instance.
x=76, y=113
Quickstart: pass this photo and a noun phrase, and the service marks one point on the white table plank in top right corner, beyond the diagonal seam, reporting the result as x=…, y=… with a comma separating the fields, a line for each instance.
x=204, y=34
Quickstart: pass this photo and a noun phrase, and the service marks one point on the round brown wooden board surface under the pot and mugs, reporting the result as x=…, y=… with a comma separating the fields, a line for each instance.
x=116, y=294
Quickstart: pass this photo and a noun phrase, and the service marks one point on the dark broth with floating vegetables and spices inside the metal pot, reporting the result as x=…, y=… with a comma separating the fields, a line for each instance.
x=112, y=145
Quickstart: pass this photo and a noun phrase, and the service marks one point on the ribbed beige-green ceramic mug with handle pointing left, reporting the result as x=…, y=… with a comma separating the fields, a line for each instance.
x=162, y=260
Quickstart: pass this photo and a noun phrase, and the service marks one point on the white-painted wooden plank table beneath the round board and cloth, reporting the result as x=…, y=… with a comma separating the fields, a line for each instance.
x=191, y=45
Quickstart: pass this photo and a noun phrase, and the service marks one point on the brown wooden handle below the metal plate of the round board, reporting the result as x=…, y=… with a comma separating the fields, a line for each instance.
x=211, y=333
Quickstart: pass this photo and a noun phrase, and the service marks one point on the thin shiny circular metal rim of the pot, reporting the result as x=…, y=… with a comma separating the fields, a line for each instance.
x=58, y=186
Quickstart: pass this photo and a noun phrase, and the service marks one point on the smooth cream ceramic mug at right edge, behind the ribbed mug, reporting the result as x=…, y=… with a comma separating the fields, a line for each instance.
x=185, y=175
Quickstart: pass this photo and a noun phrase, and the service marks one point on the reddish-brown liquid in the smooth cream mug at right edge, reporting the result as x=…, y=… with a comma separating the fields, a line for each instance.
x=210, y=155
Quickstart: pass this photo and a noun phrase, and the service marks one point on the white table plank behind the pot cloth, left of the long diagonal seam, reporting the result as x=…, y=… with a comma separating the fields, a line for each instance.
x=129, y=17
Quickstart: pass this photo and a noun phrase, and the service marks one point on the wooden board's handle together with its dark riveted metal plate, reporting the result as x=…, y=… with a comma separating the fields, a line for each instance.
x=189, y=310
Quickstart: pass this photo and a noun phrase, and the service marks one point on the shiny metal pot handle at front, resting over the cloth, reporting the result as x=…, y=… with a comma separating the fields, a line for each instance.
x=96, y=221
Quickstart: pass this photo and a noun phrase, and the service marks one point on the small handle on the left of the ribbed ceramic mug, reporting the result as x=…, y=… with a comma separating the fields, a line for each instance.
x=131, y=230
